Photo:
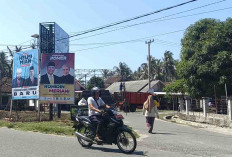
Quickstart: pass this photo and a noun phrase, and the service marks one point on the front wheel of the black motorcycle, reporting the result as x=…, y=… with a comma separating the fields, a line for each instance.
x=126, y=142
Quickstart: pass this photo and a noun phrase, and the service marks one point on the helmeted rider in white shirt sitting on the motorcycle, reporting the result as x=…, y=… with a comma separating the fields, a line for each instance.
x=94, y=104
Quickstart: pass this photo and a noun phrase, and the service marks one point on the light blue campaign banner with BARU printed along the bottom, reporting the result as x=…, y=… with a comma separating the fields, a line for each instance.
x=25, y=75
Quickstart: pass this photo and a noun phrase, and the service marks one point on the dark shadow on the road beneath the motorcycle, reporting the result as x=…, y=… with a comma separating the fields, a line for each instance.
x=141, y=153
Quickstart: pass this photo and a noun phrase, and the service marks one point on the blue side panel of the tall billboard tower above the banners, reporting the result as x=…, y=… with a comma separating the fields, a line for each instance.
x=61, y=40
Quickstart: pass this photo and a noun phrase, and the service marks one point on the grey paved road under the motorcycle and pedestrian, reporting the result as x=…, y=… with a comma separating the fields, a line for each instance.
x=170, y=139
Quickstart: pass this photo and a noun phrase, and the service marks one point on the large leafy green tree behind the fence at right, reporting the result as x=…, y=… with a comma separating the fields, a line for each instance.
x=206, y=57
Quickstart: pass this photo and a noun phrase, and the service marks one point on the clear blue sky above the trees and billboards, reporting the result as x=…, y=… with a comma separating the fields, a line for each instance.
x=19, y=19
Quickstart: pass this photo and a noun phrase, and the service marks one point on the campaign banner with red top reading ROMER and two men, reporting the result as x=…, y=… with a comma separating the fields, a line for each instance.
x=57, y=78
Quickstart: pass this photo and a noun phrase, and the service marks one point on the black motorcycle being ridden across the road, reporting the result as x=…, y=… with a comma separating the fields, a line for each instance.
x=113, y=132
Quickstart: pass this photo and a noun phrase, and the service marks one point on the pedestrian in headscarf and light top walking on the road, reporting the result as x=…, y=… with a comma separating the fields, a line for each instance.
x=150, y=110
